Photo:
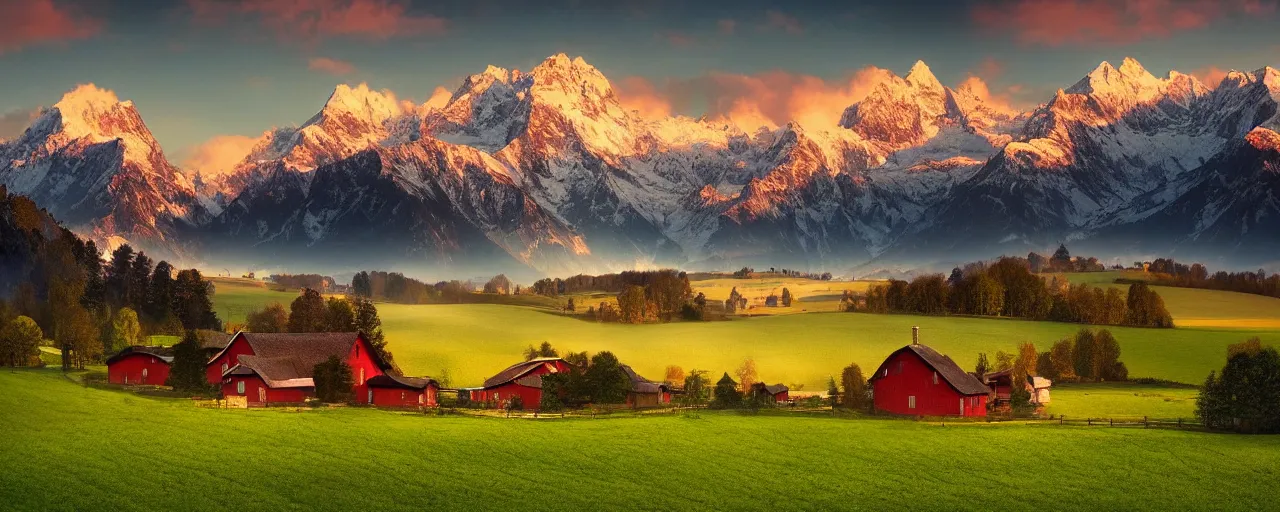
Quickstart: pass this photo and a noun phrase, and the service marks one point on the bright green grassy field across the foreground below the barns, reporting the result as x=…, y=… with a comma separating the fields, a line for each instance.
x=75, y=449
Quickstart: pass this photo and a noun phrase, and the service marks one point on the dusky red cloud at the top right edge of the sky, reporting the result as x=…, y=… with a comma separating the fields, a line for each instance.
x=1090, y=22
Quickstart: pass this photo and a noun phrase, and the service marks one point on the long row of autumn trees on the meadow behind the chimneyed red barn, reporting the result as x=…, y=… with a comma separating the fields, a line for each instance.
x=1009, y=289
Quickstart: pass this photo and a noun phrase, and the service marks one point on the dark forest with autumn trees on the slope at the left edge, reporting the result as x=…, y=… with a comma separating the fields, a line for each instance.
x=61, y=292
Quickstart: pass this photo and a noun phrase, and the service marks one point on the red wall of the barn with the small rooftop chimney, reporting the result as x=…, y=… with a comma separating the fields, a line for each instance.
x=916, y=380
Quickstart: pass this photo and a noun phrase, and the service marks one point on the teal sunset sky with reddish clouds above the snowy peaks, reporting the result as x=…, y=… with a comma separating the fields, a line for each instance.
x=209, y=76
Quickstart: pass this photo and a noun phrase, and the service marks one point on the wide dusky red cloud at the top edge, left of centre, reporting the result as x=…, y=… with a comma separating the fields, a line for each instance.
x=316, y=20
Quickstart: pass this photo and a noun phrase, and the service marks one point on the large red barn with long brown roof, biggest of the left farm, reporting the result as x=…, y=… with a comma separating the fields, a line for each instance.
x=277, y=367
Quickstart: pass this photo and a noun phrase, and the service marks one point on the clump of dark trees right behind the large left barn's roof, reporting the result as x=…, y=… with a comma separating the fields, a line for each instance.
x=313, y=313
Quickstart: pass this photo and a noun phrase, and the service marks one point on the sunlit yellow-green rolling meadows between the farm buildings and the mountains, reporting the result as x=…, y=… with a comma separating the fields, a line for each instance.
x=473, y=342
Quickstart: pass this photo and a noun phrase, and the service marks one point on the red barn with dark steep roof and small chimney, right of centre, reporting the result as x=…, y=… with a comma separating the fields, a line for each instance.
x=921, y=382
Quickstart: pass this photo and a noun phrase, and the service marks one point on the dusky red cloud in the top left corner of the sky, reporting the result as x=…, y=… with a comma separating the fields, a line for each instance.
x=35, y=22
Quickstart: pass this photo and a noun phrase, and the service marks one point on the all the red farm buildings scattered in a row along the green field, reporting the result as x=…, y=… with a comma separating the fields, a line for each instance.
x=257, y=369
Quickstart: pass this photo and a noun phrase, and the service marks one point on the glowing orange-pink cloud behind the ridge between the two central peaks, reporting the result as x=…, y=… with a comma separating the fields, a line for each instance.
x=770, y=99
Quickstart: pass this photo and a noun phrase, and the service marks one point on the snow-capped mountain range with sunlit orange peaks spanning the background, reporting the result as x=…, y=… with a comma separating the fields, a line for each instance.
x=547, y=171
